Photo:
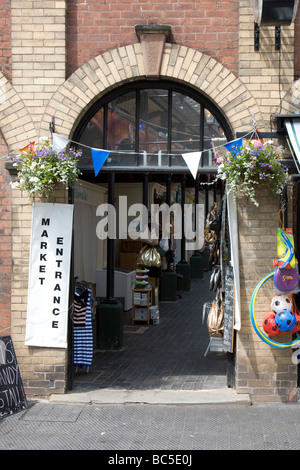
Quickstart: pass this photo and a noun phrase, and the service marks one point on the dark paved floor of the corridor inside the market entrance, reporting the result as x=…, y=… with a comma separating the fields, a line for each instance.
x=170, y=355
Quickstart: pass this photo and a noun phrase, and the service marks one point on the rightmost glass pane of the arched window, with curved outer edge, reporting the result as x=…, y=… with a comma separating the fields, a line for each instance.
x=214, y=139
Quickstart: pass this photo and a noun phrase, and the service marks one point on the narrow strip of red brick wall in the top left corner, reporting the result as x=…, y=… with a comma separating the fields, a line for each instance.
x=5, y=38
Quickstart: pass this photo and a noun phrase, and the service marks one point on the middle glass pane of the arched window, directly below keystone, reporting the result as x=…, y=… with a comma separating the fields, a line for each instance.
x=153, y=124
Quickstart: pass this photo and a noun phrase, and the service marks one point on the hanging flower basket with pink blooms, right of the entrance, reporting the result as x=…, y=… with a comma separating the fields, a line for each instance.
x=251, y=165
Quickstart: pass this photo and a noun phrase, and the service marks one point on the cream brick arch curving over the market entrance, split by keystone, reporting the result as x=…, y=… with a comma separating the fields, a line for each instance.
x=125, y=64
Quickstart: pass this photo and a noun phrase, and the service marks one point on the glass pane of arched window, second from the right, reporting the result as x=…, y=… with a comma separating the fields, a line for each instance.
x=185, y=126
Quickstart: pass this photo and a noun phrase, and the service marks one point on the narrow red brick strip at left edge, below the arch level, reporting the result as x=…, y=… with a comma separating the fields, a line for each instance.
x=5, y=243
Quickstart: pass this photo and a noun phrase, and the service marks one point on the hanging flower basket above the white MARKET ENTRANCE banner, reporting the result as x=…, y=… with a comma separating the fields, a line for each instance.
x=40, y=170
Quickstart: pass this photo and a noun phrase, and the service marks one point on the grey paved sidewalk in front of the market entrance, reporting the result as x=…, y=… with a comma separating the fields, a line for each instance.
x=172, y=429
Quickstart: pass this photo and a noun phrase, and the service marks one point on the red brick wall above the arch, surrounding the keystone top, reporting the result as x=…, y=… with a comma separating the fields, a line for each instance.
x=95, y=26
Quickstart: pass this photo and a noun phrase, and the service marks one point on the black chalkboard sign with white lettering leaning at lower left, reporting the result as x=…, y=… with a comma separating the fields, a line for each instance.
x=12, y=396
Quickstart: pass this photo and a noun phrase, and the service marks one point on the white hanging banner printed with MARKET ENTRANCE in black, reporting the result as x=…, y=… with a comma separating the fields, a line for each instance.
x=49, y=275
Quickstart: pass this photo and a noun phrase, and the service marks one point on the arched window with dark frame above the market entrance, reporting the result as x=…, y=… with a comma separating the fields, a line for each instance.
x=152, y=124
